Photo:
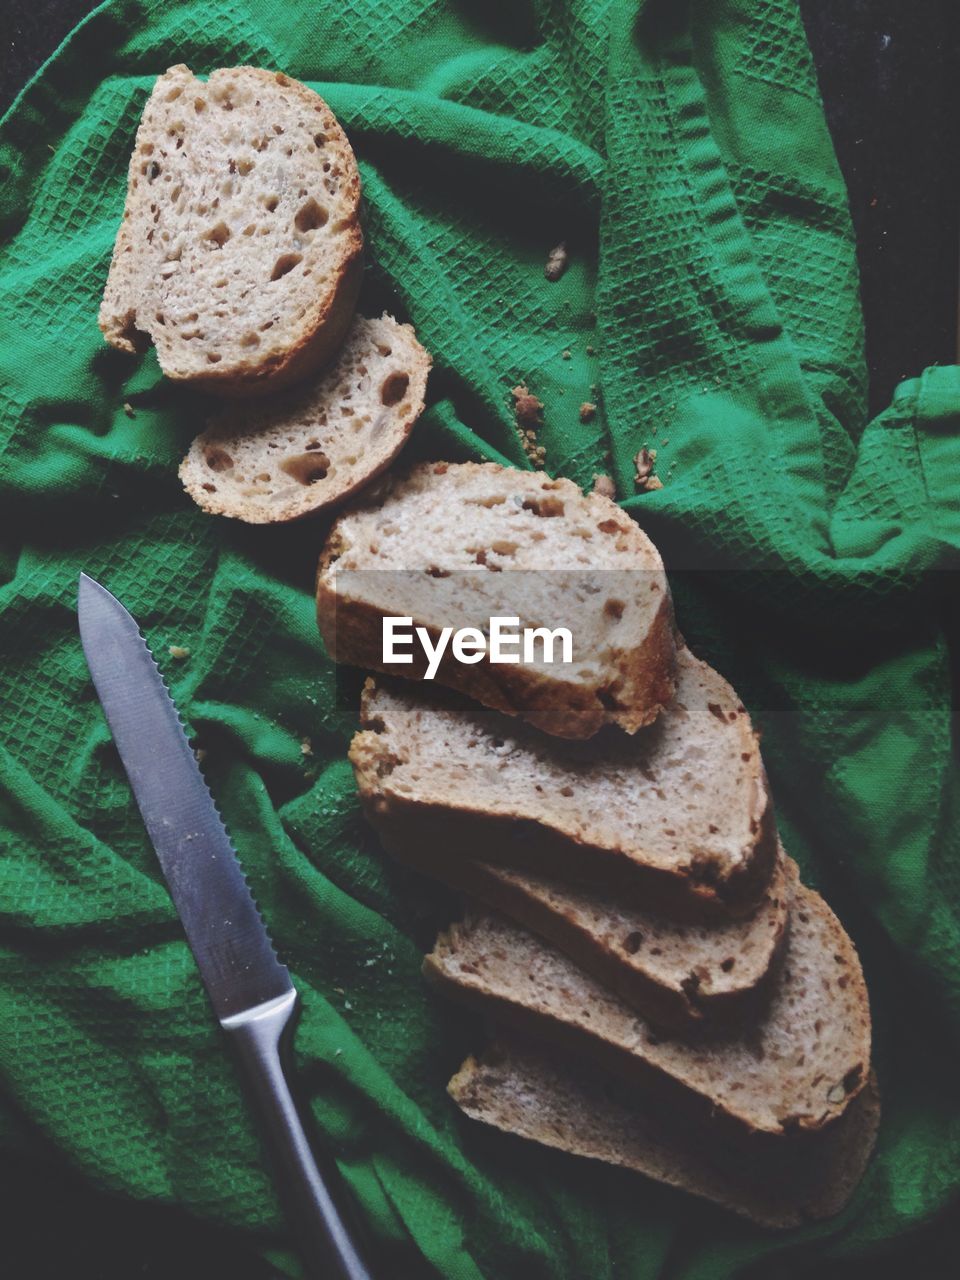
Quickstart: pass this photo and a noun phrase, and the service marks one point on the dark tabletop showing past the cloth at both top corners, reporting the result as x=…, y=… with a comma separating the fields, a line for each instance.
x=890, y=76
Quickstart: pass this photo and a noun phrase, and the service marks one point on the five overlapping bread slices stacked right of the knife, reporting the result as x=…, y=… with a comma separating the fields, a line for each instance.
x=666, y=993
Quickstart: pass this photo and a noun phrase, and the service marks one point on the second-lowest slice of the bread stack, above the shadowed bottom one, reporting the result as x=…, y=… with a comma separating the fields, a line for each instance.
x=797, y=1067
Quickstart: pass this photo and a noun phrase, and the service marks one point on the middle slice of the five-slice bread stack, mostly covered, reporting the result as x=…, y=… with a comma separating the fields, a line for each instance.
x=675, y=975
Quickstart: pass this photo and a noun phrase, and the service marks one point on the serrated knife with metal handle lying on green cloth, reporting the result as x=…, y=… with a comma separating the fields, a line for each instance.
x=250, y=990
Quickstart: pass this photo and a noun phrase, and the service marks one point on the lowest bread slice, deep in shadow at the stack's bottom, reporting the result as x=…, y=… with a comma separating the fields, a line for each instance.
x=528, y=1092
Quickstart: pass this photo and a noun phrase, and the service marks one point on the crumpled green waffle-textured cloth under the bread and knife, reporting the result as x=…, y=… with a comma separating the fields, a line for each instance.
x=712, y=303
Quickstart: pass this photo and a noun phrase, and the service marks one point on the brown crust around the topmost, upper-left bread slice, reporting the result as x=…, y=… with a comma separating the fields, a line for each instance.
x=330, y=313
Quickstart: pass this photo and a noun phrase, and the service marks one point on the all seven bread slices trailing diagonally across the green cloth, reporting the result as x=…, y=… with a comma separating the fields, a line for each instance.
x=668, y=995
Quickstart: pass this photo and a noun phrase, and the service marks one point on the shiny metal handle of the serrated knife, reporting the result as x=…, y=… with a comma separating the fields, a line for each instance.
x=330, y=1246
